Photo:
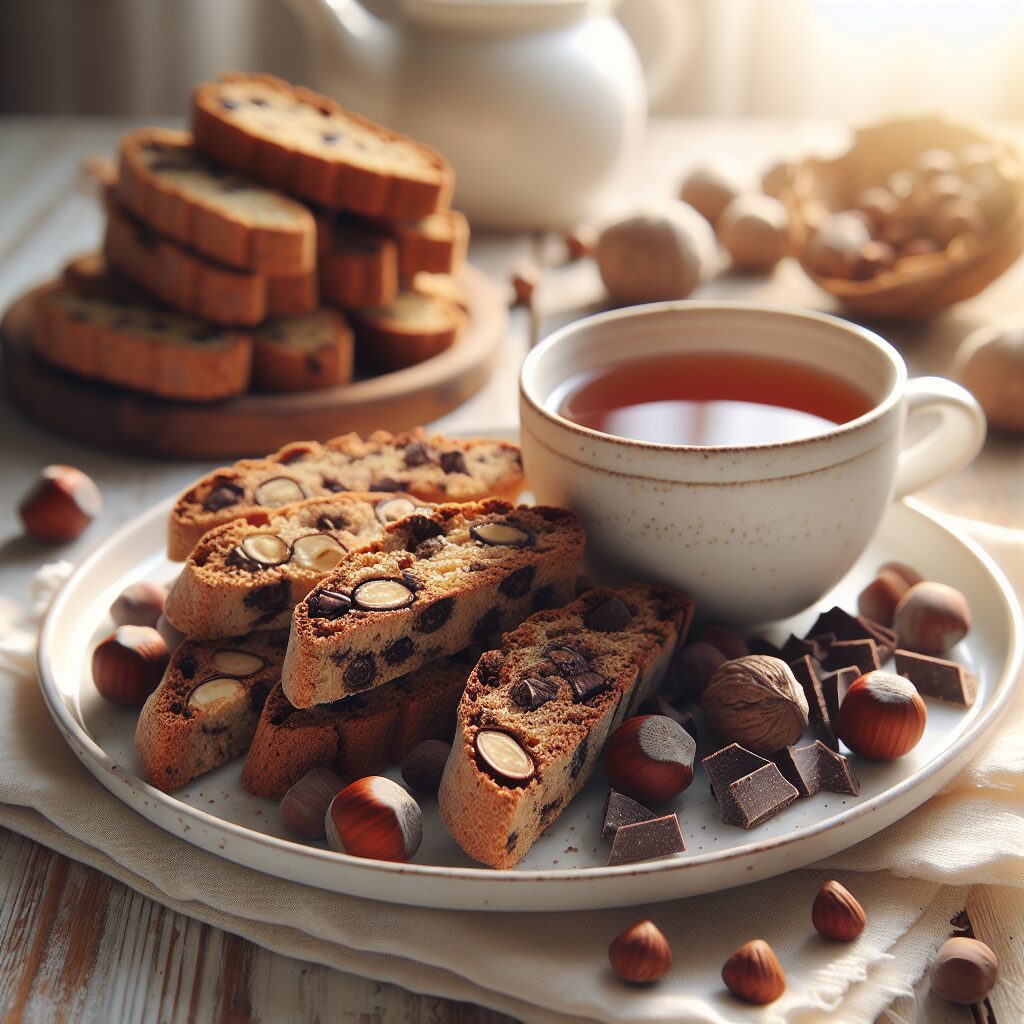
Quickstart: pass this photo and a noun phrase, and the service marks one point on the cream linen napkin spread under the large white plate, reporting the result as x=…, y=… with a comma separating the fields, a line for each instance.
x=911, y=879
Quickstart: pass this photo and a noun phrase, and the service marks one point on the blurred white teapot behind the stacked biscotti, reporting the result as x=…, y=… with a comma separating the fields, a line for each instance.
x=534, y=102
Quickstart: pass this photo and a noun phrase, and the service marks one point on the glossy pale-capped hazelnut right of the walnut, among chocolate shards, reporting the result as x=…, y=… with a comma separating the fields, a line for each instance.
x=882, y=716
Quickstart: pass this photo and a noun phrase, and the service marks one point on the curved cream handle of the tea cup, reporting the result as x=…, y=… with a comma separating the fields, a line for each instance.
x=953, y=442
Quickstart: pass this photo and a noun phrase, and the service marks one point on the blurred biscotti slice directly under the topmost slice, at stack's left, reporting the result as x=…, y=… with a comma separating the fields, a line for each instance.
x=167, y=184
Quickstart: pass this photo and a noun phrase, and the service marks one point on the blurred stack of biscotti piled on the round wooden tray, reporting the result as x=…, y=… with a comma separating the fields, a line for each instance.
x=276, y=202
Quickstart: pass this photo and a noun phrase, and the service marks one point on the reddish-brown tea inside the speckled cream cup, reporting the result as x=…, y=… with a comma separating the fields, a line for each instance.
x=710, y=400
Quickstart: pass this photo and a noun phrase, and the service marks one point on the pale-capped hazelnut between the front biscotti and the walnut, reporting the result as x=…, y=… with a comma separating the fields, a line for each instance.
x=650, y=758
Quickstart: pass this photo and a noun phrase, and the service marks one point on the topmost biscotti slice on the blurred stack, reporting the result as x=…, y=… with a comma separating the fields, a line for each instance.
x=307, y=145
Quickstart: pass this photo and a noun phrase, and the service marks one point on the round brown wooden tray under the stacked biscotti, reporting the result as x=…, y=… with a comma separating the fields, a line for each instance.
x=252, y=424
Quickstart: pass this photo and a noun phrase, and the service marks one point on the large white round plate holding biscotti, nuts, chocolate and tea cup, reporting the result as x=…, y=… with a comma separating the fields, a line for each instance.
x=566, y=870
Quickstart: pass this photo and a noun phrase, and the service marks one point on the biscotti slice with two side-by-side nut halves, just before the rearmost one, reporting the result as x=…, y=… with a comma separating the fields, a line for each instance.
x=250, y=574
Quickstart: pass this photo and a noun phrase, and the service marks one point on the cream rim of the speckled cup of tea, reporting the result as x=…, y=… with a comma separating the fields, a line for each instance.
x=877, y=412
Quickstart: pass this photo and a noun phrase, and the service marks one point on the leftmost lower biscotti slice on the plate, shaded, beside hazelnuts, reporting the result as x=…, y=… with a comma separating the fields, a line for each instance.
x=207, y=706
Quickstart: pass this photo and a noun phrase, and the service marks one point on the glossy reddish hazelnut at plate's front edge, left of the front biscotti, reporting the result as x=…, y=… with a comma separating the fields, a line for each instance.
x=374, y=818
